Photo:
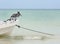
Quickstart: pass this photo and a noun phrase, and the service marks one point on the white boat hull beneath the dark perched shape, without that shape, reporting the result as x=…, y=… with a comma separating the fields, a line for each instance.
x=6, y=28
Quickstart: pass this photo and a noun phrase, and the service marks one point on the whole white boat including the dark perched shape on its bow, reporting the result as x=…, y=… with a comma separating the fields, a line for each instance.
x=7, y=26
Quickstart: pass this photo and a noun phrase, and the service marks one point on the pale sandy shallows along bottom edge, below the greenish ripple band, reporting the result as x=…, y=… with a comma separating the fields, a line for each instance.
x=12, y=41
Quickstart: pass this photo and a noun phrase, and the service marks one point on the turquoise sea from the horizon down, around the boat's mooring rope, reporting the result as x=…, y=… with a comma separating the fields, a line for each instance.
x=47, y=21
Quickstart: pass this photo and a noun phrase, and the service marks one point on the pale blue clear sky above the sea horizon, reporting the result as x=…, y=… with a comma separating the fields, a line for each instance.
x=29, y=4
